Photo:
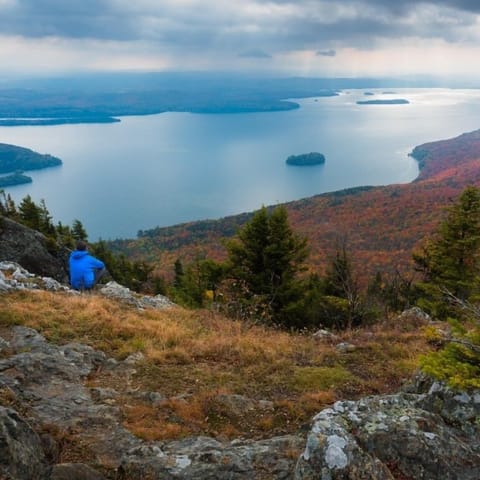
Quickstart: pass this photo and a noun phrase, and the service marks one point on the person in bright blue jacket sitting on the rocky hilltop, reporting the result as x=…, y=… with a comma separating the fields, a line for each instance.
x=85, y=270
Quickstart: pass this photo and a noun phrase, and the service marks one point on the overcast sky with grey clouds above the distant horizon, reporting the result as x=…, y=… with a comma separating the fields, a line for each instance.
x=302, y=37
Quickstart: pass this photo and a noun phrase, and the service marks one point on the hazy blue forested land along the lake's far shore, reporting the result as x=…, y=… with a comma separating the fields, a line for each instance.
x=104, y=98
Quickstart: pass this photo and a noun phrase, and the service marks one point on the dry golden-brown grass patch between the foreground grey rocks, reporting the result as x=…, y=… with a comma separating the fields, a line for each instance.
x=192, y=357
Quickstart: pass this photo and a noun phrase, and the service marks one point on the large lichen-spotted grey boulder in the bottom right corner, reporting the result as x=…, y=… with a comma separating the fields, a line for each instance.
x=429, y=435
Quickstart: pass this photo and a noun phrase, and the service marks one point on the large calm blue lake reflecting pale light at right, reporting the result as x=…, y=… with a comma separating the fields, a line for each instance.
x=160, y=170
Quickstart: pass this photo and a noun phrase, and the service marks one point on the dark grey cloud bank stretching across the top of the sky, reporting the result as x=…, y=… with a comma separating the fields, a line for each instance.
x=283, y=25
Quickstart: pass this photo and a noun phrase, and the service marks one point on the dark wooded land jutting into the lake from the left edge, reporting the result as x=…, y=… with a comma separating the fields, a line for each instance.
x=14, y=160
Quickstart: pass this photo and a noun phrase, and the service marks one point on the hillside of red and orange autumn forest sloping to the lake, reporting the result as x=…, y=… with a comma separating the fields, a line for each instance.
x=381, y=224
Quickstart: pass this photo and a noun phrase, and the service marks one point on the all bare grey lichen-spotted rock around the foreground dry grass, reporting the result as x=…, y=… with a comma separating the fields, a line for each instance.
x=53, y=426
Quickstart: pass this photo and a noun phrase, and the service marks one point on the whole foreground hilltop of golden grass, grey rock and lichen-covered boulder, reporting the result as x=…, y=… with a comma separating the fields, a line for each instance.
x=109, y=385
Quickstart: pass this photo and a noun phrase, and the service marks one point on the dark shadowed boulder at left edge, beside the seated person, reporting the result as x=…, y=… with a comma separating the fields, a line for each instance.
x=31, y=250
